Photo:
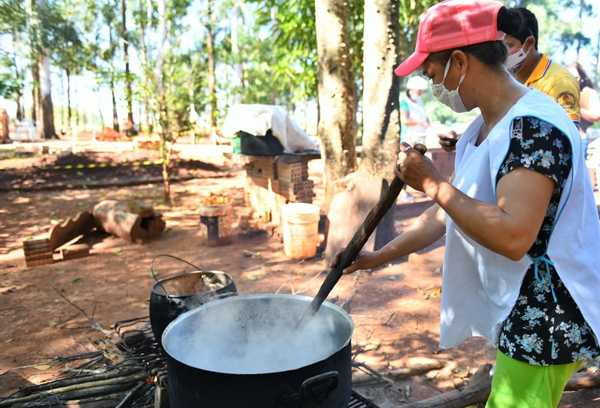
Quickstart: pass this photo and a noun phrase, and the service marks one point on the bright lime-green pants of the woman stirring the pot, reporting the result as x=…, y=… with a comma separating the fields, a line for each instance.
x=520, y=385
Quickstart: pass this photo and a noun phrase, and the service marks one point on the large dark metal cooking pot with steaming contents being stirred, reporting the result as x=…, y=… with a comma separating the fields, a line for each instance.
x=247, y=351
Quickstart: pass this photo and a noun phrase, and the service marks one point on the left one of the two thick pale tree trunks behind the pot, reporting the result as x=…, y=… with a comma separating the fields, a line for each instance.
x=336, y=93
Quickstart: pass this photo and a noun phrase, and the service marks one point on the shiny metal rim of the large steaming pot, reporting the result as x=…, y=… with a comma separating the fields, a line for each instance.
x=215, y=303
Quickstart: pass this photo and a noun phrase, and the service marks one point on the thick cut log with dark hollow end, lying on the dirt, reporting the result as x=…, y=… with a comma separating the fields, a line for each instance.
x=129, y=220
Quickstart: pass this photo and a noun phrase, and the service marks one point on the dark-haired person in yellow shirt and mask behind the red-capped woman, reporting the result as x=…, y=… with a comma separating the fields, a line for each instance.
x=533, y=68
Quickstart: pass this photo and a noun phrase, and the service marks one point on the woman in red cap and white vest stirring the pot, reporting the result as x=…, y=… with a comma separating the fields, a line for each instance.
x=520, y=222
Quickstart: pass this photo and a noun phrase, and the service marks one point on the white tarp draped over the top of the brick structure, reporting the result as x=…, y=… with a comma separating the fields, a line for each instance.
x=257, y=119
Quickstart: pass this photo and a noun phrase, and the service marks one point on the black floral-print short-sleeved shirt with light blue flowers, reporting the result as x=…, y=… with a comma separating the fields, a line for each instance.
x=545, y=326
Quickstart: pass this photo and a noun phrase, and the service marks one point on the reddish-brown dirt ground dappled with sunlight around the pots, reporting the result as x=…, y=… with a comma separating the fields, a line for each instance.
x=395, y=308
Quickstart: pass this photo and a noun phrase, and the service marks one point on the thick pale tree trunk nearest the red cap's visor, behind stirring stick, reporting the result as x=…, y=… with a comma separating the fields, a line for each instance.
x=381, y=115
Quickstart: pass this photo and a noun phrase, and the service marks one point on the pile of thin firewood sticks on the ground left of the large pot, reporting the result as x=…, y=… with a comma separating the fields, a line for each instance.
x=129, y=374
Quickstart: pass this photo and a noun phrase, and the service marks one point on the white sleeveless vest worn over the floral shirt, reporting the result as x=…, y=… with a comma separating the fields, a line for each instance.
x=480, y=287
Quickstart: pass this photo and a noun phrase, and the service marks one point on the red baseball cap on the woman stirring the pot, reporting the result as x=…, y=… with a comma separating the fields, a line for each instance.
x=453, y=24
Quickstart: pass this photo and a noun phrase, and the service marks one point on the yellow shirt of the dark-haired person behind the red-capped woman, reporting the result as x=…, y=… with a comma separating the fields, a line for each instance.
x=556, y=82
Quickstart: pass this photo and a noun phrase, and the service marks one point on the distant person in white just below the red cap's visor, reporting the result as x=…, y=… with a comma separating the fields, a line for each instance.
x=413, y=117
